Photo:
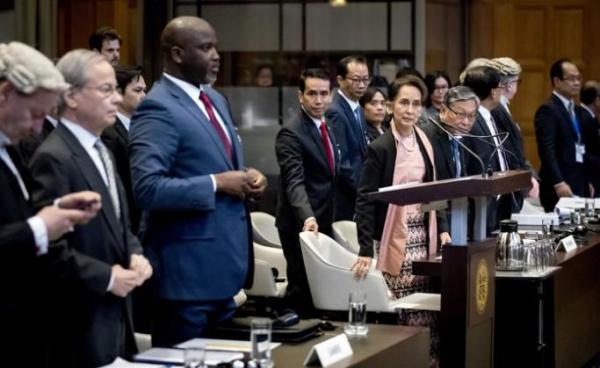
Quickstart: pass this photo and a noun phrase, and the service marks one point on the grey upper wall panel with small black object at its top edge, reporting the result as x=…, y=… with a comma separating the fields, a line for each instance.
x=357, y=26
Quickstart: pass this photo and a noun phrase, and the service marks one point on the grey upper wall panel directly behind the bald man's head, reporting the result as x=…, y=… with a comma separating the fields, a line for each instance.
x=253, y=27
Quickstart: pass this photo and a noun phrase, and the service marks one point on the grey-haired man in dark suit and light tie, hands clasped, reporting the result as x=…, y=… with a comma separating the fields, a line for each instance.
x=92, y=317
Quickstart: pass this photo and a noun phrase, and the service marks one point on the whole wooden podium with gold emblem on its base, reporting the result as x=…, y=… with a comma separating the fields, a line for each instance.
x=468, y=270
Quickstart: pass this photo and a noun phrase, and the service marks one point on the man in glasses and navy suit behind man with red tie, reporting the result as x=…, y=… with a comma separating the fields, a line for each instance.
x=347, y=122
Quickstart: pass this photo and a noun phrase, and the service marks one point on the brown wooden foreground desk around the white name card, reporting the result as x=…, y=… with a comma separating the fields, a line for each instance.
x=384, y=346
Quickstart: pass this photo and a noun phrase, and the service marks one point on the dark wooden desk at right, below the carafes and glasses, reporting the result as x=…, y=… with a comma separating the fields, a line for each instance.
x=552, y=320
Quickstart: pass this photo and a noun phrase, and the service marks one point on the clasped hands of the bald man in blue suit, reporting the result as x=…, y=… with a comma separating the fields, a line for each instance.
x=250, y=183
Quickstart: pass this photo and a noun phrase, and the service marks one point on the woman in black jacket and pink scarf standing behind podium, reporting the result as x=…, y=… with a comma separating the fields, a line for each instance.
x=400, y=234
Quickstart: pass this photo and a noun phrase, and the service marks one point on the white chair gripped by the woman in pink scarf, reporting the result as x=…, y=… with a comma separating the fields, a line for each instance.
x=331, y=281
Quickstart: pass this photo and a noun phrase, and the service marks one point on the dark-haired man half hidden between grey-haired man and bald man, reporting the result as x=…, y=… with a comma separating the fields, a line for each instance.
x=132, y=88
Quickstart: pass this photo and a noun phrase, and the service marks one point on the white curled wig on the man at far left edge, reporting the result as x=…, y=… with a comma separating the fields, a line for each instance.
x=28, y=69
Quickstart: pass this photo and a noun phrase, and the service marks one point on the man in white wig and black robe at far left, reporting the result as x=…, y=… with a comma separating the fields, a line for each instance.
x=29, y=88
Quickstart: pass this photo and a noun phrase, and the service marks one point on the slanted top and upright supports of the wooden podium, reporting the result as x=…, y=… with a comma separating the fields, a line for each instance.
x=458, y=190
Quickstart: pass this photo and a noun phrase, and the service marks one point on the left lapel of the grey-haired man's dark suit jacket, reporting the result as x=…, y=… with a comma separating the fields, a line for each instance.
x=93, y=179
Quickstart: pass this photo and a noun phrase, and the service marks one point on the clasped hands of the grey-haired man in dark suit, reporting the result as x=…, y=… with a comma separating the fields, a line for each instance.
x=125, y=280
